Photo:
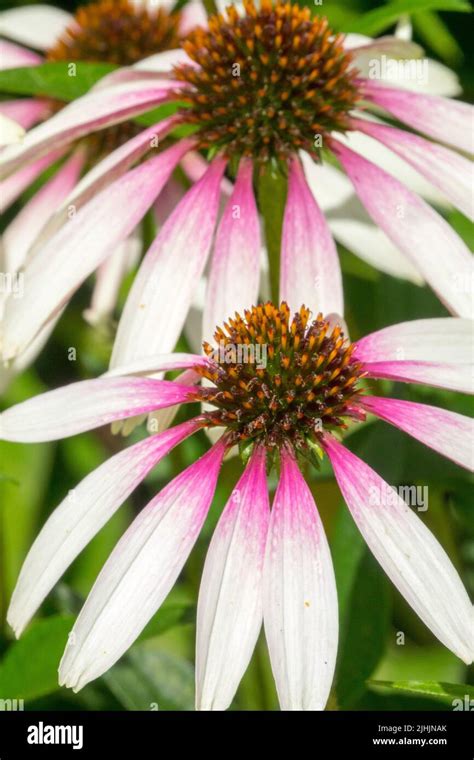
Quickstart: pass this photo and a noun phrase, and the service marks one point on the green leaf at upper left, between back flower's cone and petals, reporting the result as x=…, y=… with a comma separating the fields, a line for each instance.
x=53, y=79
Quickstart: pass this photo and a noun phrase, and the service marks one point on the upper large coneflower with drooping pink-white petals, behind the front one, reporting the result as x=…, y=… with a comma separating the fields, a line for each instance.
x=263, y=87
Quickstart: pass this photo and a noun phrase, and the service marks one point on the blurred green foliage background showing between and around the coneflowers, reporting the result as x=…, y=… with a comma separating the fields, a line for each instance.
x=378, y=668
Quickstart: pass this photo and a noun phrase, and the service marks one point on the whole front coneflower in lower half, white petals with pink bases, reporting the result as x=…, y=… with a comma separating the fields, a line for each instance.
x=280, y=388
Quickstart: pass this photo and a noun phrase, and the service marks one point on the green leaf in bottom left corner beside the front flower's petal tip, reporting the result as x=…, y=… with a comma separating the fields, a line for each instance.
x=29, y=668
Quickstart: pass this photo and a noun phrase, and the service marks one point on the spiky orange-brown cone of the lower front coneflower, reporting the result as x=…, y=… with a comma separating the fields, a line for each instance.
x=277, y=379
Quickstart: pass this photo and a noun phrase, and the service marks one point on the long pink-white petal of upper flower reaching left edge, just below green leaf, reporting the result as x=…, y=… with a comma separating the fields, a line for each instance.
x=94, y=111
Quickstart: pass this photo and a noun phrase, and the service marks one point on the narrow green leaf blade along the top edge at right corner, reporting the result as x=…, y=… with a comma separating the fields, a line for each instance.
x=377, y=21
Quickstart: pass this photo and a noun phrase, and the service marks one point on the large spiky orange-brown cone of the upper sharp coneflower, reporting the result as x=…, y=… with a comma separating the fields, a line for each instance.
x=269, y=82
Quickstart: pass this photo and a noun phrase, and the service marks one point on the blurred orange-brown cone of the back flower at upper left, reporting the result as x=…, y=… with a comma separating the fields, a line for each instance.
x=118, y=32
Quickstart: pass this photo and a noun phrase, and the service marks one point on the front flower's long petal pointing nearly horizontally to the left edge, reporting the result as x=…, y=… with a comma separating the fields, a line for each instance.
x=85, y=405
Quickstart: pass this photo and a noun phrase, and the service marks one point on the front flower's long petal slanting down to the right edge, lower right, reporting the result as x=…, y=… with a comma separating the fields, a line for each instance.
x=408, y=552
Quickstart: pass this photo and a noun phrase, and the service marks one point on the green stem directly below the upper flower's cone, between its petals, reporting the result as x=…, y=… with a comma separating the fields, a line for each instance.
x=272, y=190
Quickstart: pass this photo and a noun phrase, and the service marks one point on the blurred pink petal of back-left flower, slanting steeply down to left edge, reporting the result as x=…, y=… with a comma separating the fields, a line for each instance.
x=29, y=221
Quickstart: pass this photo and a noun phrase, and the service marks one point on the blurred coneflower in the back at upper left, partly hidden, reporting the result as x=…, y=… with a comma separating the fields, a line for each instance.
x=120, y=32
